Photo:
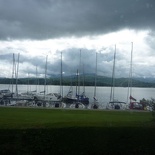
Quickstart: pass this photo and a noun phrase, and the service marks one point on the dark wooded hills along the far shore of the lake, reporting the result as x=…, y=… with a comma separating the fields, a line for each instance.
x=88, y=81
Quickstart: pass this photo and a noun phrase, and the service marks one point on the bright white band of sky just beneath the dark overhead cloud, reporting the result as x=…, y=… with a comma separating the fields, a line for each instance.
x=121, y=39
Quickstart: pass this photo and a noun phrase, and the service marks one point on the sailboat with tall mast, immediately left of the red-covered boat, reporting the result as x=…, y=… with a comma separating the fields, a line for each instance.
x=114, y=104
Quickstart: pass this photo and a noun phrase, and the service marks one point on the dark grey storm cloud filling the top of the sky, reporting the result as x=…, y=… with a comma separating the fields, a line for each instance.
x=38, y=19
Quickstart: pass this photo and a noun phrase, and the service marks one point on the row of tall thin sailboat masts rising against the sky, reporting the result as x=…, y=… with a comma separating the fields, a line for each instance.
x=95, y=103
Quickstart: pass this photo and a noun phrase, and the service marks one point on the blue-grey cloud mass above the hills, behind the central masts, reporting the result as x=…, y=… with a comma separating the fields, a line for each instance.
x=86, y=61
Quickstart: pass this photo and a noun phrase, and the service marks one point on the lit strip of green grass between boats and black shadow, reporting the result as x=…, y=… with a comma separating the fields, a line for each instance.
x=19, y=118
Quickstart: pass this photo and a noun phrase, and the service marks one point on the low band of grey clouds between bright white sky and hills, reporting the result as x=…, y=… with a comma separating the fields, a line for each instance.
x=71, y=62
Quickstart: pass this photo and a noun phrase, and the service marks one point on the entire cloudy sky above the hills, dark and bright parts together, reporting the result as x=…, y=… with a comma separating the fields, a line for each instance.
x=39, y=28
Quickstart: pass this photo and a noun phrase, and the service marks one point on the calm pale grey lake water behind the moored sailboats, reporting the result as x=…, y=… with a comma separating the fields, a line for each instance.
x=102, y=93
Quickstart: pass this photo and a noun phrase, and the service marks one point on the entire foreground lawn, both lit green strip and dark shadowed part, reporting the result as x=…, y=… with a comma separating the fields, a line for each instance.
x=60, y=131
